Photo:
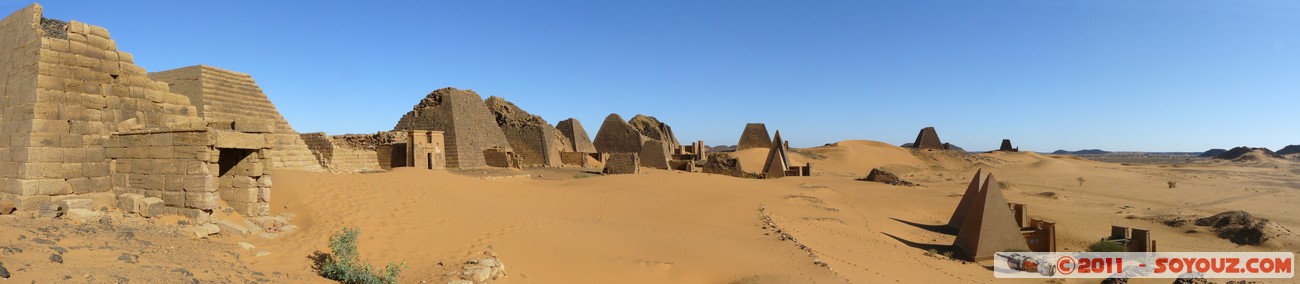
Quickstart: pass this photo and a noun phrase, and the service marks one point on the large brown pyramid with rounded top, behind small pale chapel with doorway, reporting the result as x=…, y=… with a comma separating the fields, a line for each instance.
x=465, y=121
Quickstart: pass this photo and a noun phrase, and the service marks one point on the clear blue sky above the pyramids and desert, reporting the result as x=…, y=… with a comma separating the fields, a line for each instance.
x=1115, y=75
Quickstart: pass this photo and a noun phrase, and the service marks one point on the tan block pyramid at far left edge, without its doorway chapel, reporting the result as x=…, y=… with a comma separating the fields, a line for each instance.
x=67, y=87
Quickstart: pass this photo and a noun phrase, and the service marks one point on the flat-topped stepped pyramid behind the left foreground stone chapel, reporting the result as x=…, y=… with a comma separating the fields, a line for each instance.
x=223, y=94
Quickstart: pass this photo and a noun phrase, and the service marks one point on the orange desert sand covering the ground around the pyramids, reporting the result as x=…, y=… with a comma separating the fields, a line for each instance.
x=566, y=226
